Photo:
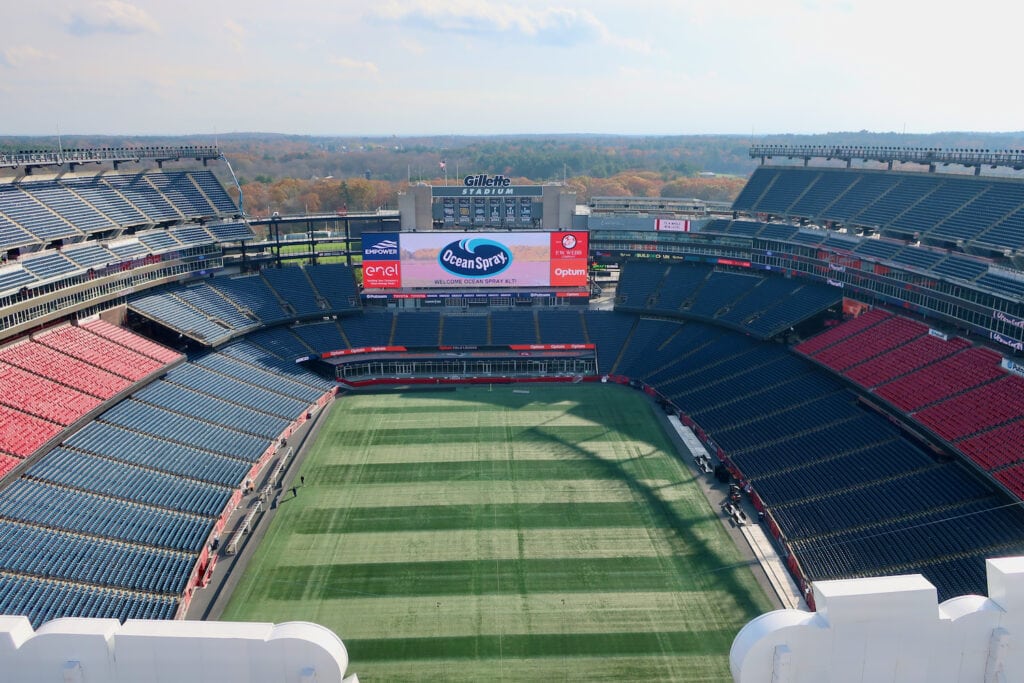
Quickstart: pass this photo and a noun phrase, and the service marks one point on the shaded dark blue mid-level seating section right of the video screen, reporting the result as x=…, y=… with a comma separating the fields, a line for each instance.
x=759, y=305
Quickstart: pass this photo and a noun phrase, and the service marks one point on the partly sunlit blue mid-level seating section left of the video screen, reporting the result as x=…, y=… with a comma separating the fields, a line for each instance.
x=215, y=311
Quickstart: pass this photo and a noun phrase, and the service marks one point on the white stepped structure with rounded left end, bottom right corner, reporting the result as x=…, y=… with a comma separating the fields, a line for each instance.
x=891, y=629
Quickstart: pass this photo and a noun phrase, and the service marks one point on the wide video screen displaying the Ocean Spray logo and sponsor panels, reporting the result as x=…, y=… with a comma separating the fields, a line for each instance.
x=428, y=261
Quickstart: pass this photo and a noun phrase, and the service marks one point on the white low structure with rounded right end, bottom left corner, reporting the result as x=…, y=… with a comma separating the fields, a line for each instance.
x=95, y=651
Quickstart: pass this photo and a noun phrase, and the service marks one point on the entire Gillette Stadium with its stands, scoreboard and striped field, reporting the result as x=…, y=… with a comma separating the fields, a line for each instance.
x=475, y=416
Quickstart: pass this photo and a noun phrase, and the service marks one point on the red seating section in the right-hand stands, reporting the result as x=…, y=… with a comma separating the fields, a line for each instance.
x=959, y=392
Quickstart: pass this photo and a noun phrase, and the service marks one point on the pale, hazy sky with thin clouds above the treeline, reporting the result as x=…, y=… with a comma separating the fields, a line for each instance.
x=497, y=67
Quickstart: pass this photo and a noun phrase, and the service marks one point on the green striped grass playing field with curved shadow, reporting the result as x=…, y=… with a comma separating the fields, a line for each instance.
x=484, y=535
